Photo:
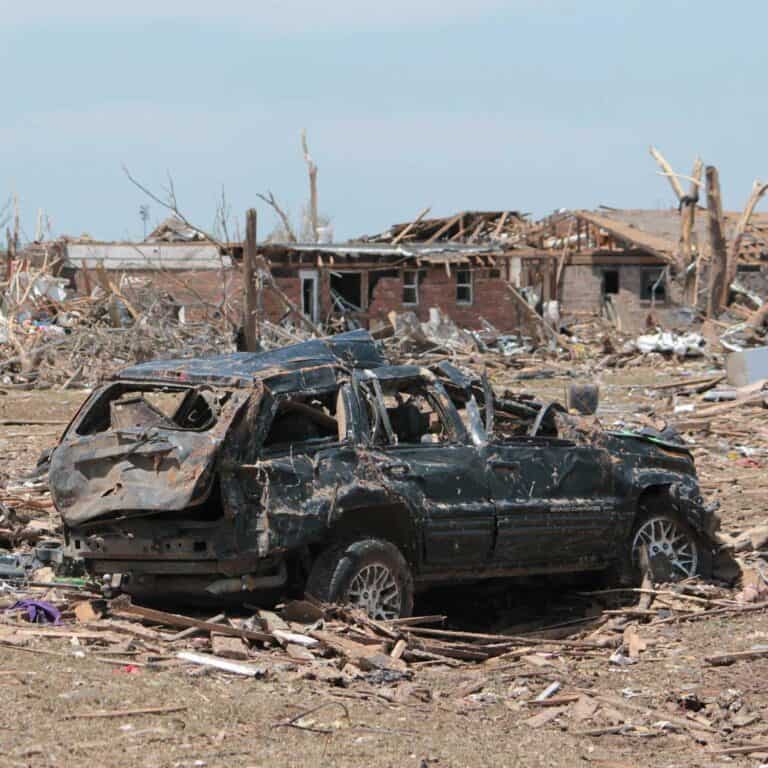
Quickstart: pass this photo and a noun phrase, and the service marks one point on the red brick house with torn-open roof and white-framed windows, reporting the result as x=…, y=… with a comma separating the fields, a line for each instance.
x=462, y=265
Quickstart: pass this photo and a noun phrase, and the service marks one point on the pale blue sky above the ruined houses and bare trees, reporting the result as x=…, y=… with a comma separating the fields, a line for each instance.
x=490, y=105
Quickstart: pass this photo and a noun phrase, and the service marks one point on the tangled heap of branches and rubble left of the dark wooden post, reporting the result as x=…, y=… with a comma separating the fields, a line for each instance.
x=50, y=336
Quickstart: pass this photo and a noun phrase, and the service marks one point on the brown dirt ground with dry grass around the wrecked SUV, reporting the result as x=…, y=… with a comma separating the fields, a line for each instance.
x=474, y=715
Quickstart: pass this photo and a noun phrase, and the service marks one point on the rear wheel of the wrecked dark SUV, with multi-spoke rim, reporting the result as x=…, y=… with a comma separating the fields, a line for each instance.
x=370, y=574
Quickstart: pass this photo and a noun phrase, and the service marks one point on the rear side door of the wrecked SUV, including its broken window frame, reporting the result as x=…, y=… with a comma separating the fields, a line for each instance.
x=440, y=474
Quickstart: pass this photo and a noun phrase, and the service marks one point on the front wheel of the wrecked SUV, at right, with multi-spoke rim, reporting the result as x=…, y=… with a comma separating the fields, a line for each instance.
x=673, y=543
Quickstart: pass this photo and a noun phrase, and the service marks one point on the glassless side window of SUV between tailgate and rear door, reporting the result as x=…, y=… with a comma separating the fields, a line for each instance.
x=303, y=422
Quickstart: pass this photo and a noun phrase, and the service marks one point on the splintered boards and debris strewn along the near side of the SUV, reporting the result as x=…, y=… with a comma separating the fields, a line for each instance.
x=545, y=677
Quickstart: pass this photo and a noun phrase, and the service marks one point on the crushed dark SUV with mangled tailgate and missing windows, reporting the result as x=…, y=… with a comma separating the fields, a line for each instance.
x=321, y=468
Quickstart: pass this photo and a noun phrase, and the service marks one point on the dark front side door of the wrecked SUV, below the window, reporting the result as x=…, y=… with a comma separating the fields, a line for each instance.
x=555, y=503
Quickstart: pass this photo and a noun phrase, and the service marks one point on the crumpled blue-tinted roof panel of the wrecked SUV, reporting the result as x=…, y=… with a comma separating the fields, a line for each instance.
x=355, y=349
